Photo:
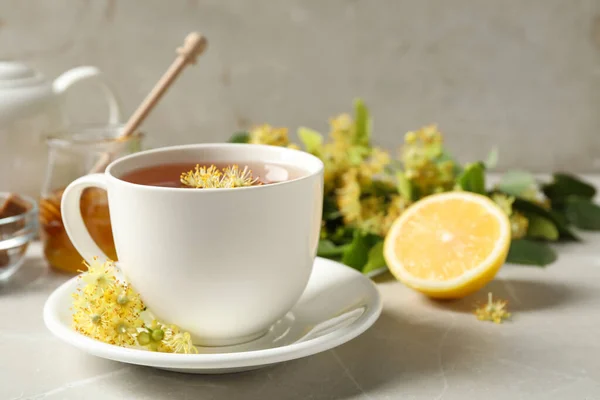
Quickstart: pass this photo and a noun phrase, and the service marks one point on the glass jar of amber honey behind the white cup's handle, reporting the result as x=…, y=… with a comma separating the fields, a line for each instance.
x=72, y=153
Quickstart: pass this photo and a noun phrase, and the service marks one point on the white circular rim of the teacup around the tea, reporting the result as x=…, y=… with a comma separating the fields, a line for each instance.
x=317, y=171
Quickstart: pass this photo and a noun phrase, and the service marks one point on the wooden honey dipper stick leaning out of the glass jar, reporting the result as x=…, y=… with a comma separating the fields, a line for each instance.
x=193, y=45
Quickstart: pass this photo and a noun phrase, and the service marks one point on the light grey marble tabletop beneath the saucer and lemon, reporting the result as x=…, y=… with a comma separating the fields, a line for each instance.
x=418, y=349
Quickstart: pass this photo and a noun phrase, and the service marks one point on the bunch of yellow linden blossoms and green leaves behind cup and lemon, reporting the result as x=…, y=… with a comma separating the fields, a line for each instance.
x=366, y=190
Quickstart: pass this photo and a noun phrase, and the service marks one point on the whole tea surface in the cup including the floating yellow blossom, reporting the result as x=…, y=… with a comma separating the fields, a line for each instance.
x=212, y=175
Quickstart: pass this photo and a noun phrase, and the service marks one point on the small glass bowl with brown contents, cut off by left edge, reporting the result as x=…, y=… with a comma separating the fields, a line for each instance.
x=15, y=235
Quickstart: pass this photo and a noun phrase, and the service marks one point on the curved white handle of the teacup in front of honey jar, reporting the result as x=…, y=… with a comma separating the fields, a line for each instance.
x=73, y=221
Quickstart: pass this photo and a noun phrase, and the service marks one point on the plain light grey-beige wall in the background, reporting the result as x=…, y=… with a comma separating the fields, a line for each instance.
x=520, y=74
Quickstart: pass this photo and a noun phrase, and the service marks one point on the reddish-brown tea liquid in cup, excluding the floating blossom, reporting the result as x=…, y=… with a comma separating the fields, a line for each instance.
x=168, y=175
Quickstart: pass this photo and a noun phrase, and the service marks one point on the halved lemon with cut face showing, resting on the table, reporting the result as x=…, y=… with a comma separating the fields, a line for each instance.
x=448, y=245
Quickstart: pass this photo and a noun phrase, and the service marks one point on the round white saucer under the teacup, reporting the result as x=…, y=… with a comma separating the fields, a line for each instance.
x=338, y=304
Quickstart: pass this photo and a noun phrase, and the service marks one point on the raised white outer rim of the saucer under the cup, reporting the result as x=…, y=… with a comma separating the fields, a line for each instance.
x=373, y=307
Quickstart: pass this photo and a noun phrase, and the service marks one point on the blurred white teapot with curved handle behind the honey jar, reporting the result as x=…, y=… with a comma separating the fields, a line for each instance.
x=30, y=108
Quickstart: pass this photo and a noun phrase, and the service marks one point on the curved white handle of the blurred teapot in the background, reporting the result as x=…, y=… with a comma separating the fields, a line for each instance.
x=69, y=78
